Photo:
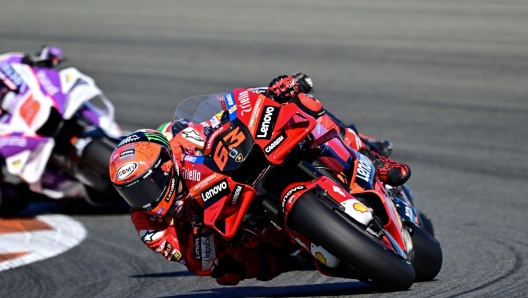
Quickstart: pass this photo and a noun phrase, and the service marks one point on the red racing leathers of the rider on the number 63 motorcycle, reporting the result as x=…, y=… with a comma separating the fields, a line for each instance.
x=176, y=237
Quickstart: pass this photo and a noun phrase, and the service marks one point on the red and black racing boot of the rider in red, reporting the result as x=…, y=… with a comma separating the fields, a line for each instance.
x=389, y=171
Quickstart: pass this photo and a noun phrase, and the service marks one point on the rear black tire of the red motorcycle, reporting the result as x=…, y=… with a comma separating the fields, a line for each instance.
x=427, y=255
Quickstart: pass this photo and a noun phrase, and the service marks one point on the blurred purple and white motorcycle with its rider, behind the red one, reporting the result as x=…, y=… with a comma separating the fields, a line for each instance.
x=57, y=131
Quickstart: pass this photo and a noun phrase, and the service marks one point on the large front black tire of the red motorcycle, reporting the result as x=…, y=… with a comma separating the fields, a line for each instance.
x=350, y=245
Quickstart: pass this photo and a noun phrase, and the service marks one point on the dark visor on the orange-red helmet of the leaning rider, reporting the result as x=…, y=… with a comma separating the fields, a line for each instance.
x=146, y=192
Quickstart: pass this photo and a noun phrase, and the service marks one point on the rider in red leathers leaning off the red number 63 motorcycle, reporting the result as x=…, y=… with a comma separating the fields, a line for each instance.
x=145, y=170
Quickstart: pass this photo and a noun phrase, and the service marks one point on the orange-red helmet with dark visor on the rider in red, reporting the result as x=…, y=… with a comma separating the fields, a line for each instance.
x=143, y=171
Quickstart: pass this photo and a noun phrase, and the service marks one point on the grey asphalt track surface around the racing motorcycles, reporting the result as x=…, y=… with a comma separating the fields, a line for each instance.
x=445, y=81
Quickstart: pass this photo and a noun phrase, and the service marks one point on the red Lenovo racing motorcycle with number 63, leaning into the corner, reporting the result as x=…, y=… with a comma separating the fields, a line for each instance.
x=271, y=174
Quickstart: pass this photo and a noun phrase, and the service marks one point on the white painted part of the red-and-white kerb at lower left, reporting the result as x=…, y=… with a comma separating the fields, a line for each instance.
x=39, y=245
